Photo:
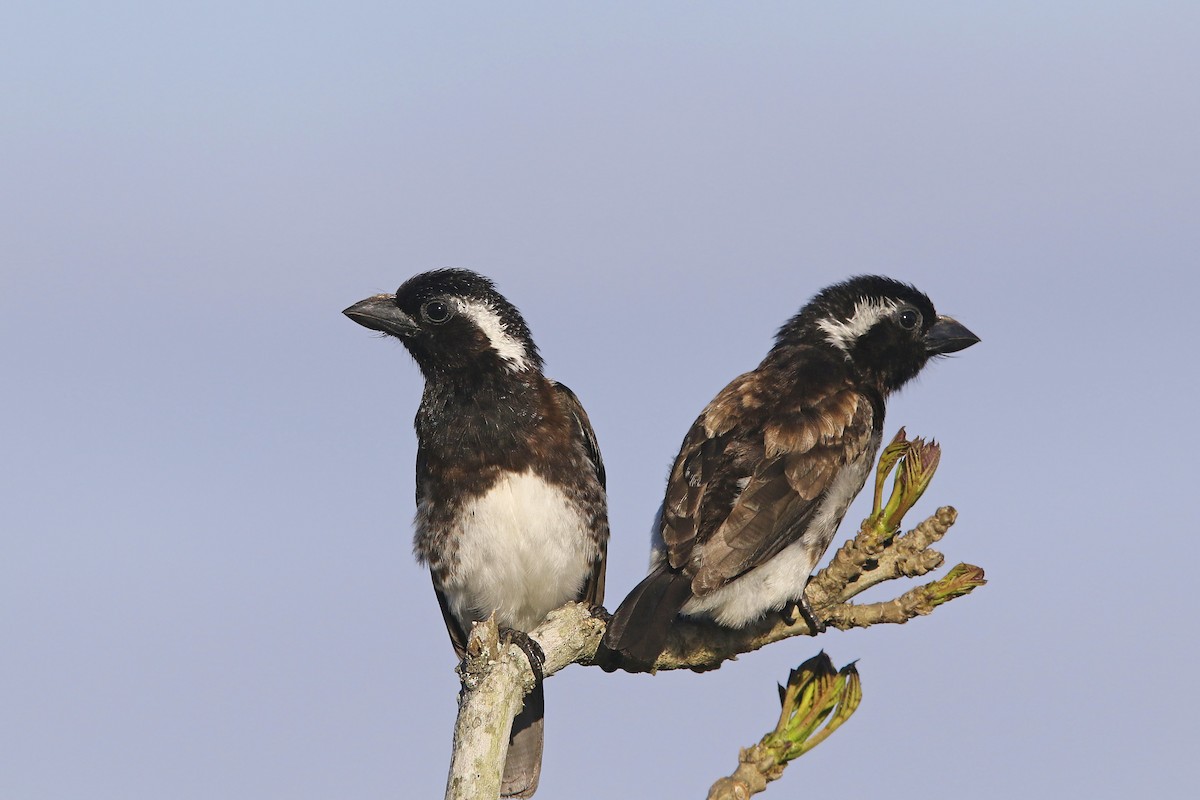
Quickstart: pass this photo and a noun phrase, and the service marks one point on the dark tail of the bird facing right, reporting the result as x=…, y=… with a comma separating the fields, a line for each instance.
x=638, y=633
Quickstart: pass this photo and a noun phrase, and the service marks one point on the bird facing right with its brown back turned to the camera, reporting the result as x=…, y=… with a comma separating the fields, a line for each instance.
x=769, y=470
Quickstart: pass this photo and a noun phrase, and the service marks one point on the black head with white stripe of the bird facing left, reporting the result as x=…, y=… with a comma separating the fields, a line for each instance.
x=453, y=321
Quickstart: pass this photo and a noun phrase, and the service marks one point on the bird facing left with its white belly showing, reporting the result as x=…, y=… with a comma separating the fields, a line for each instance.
x=512, y=512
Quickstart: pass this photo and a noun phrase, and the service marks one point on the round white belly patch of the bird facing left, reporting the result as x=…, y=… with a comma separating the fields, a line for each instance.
x=524, y=551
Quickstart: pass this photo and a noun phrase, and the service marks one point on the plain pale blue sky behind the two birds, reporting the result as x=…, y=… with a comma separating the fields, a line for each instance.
x=206, y=581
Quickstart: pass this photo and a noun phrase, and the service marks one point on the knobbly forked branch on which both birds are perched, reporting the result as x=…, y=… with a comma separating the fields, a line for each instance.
x=496, y=678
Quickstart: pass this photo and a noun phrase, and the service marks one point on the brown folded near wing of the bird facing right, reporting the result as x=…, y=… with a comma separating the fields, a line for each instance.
x=802, y=453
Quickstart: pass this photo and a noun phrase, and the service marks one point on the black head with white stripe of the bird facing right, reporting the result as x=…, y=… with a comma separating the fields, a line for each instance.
x=887, y=329
